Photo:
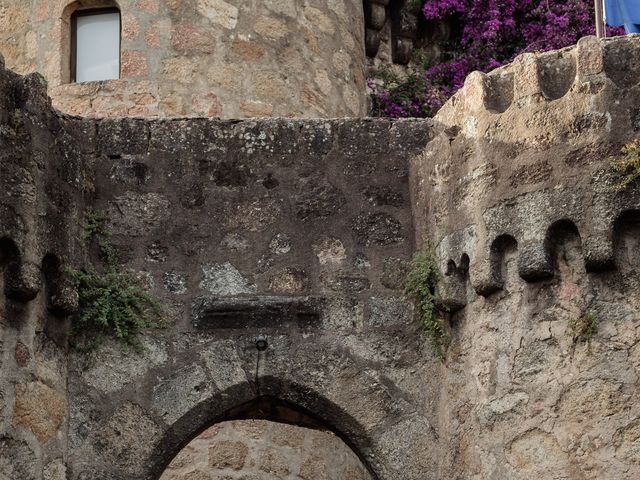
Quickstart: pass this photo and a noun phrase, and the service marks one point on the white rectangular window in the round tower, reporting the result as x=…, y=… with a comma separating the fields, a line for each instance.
x=95, y=52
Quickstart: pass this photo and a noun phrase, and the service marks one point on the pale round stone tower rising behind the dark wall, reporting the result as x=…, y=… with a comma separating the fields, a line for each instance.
x=217, y=58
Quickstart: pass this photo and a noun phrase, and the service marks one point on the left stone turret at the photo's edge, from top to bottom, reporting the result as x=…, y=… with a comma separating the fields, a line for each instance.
x=33, y=358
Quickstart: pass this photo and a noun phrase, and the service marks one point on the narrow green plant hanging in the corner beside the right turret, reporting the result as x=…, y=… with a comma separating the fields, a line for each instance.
x=420, y=285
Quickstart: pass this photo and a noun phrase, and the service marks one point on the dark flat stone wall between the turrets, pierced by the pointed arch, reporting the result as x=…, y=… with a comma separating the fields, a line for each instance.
x=293, y=229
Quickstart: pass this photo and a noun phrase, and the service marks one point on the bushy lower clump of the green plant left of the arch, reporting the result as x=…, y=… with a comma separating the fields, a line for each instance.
x=114, y=304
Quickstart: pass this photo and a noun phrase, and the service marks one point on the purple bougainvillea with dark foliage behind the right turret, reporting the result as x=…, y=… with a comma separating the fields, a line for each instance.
x=490, y=34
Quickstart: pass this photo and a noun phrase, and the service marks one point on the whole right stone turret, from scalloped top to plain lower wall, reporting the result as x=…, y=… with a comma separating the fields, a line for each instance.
x=533, y=235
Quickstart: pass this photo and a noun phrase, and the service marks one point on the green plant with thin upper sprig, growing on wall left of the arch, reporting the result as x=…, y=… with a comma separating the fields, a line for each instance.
x=113, y=302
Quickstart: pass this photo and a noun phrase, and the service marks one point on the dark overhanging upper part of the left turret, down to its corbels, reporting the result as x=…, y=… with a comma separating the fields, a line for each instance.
x=39, y=202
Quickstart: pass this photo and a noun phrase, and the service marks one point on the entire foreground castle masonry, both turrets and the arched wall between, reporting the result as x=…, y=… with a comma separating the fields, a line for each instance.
x=298, y=230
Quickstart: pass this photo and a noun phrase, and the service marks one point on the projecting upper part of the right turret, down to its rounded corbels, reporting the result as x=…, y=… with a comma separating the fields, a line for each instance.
x=523, y=155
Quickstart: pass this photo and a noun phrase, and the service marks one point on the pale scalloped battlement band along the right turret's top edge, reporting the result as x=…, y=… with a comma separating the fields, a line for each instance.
x=578, y=71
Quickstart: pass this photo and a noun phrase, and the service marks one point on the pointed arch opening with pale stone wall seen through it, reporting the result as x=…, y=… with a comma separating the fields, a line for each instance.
x=266, y=439
